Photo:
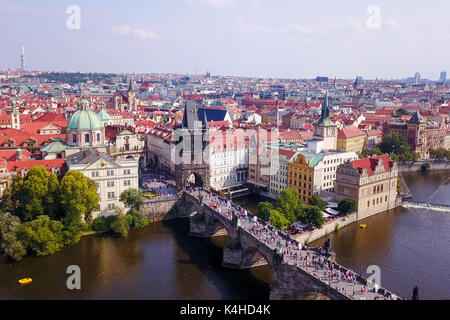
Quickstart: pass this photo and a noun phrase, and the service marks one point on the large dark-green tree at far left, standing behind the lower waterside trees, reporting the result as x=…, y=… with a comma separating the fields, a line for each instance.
x=35, y=194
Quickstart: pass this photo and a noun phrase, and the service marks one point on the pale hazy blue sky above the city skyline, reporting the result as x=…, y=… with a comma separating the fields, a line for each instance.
x=253, y=38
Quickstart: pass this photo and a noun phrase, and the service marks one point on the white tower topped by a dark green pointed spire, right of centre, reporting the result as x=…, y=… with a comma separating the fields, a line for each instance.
x=325, y=129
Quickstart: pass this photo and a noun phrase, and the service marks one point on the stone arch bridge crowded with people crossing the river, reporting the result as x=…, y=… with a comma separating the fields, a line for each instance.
x=291, y=279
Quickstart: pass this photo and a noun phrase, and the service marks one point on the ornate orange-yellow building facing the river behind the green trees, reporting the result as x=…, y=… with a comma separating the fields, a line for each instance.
x=301, y=175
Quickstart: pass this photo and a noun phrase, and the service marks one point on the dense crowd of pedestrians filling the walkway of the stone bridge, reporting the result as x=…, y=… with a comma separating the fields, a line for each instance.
x=314, y=261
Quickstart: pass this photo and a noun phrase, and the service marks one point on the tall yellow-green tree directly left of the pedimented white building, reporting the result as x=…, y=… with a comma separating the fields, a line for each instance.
x=79, y=199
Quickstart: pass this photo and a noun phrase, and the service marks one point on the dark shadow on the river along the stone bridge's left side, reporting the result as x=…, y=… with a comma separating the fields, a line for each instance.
x=207, y=254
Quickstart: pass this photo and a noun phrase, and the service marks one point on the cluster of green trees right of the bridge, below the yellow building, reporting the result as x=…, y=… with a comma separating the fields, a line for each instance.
x=288, y=208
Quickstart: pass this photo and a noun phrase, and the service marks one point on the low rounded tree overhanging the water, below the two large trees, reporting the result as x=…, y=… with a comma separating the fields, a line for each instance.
x=42, y=235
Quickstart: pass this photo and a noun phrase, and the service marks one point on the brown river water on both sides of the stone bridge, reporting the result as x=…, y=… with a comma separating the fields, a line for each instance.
x=412, y=247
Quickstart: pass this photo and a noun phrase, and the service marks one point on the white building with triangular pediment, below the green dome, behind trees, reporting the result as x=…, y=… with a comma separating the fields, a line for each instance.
x=111, y=177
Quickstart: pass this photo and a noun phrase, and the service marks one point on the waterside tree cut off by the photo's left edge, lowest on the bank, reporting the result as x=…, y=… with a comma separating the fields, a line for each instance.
x=9, y=242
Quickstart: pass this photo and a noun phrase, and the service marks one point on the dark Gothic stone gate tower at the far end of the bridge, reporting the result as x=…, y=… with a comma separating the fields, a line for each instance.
x=192, y=149
